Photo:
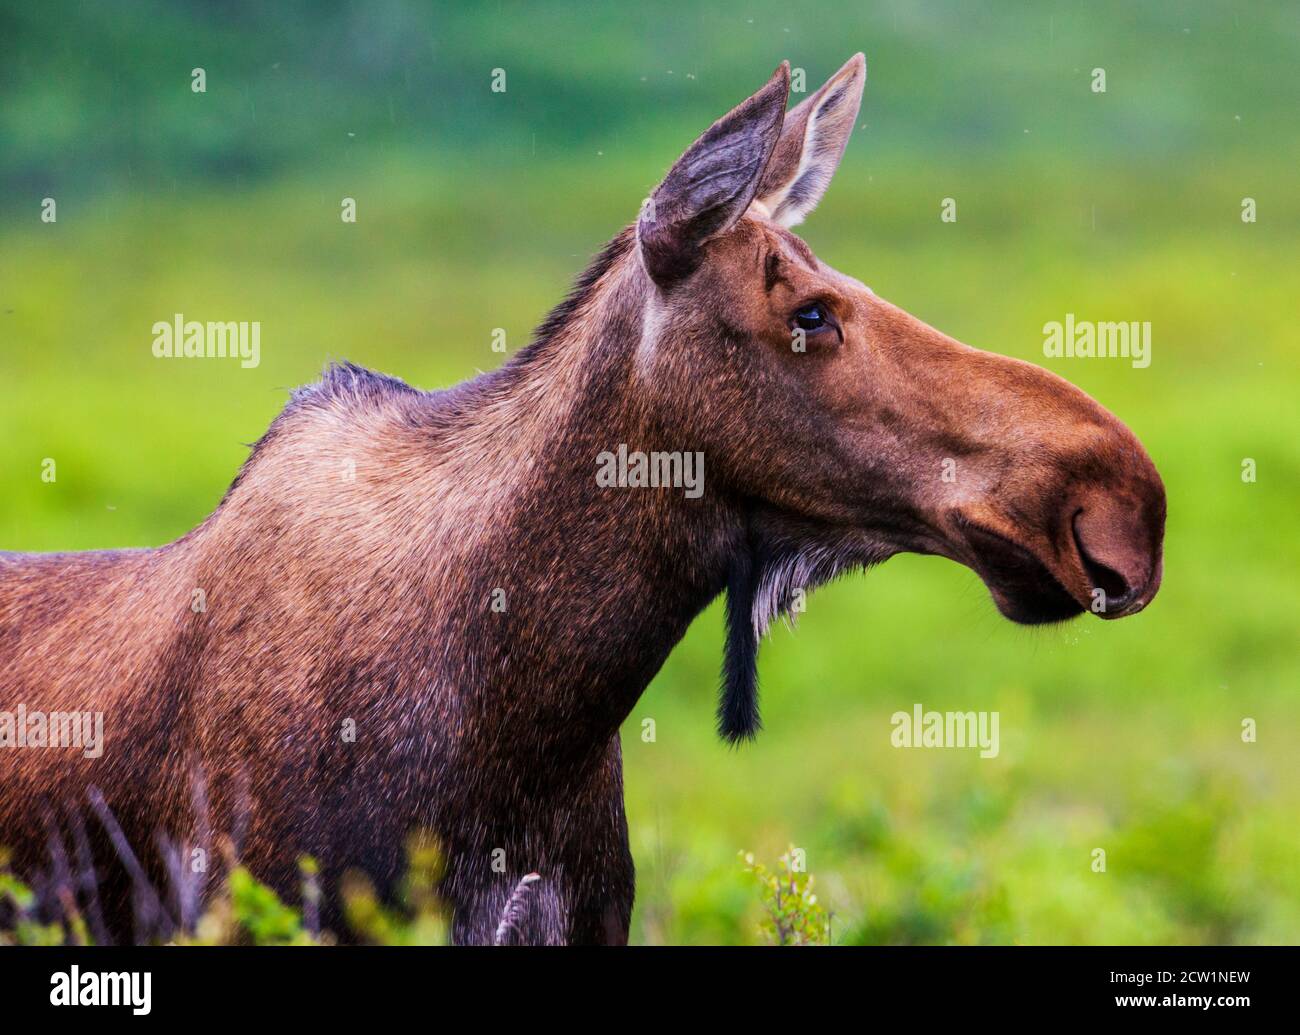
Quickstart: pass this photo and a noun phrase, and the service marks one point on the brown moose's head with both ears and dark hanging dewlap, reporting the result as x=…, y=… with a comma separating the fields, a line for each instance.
x=852, y=430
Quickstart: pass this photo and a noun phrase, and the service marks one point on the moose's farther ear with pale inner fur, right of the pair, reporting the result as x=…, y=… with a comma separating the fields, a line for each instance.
x=813, y=141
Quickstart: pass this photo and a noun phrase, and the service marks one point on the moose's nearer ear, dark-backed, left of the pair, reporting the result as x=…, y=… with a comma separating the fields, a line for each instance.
x=712, y=185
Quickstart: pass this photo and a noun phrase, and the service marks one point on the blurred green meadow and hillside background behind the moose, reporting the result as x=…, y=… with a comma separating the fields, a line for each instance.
x=475, y=210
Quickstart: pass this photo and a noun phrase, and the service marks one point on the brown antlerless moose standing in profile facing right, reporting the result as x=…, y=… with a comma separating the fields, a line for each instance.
x=483, y=613
